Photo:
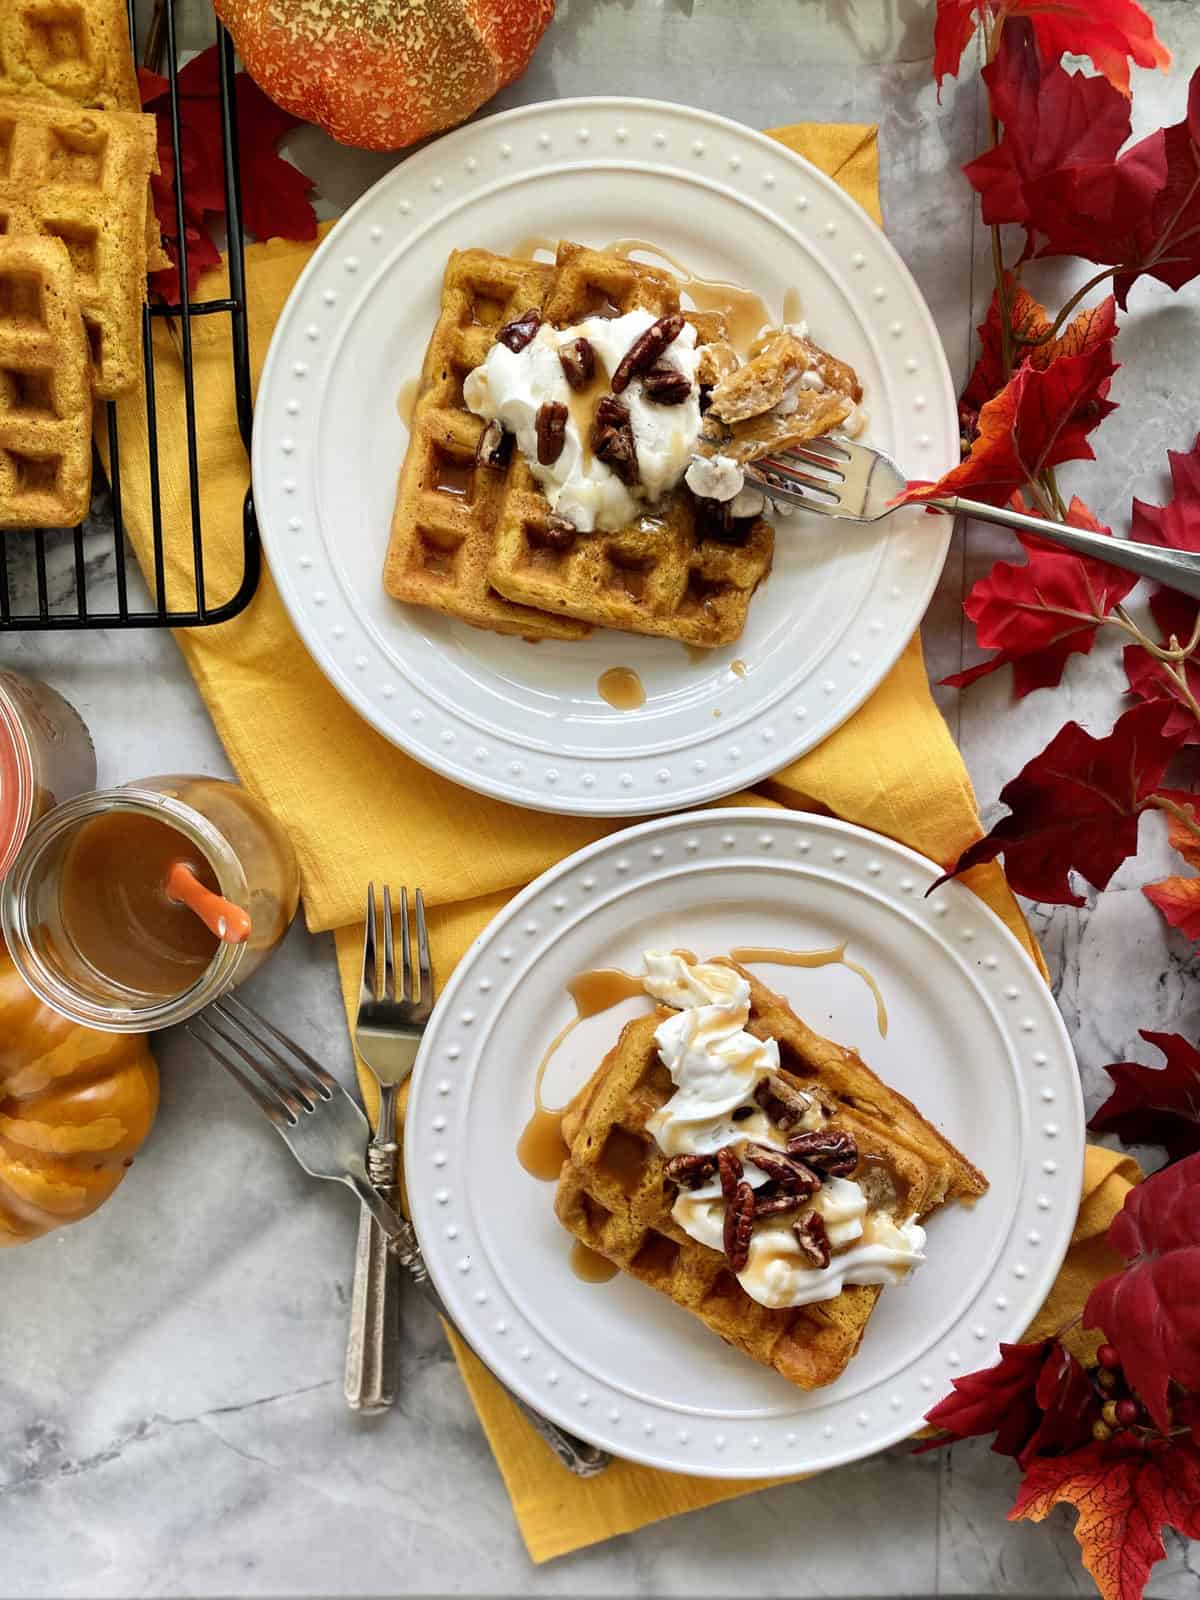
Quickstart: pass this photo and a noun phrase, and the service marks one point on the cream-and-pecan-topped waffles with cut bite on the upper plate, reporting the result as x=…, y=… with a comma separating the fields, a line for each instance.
x=577, y=452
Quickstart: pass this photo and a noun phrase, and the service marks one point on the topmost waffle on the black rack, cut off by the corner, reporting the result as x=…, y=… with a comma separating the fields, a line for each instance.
x=74, y=52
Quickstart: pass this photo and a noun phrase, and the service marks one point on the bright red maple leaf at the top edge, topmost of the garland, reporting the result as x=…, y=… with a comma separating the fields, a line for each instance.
x=1113, y=33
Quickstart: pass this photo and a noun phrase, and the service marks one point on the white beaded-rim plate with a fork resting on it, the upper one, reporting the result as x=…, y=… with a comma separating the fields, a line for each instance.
x=497, y=714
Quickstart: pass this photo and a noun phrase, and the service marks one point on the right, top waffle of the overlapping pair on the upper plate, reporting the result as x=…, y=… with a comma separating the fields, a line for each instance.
x=666, y=574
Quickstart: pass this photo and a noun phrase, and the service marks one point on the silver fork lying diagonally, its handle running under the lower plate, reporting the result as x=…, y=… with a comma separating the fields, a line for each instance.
x=327, y=1132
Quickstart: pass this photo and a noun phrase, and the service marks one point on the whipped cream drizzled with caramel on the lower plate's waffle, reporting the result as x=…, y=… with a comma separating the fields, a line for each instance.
x=716, y=1066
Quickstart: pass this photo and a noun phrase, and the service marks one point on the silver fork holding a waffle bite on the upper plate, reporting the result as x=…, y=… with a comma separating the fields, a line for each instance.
x=839, y=478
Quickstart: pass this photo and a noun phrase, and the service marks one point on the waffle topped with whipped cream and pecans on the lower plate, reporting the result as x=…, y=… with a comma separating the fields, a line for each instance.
x=758, y=1174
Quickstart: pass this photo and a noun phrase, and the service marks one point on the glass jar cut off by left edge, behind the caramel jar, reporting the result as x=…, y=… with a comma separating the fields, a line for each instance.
x=46, y=758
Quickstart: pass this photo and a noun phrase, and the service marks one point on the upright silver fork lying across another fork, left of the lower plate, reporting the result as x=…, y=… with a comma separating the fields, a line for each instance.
x=388, y=1034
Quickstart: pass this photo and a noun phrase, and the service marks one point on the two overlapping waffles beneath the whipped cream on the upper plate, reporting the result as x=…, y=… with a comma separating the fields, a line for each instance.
x=471, y=538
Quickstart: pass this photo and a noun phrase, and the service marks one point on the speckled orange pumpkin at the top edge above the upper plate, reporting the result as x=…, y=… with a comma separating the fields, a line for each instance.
x=385, y=73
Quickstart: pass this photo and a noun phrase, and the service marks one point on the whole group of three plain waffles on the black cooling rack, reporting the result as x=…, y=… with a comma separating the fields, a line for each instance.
x=78, y=238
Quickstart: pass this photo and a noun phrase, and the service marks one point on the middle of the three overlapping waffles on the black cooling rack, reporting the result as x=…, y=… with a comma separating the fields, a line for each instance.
x=82, y=177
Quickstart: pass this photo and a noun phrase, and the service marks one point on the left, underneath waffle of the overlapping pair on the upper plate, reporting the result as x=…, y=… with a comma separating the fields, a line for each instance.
x=447, y=506
